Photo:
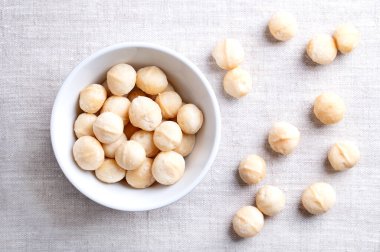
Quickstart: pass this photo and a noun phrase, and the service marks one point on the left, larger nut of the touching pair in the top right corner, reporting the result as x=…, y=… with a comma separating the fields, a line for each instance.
x=322, y=49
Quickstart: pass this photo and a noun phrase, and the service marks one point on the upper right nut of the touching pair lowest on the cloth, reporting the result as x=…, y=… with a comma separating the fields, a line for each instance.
x=270, y=200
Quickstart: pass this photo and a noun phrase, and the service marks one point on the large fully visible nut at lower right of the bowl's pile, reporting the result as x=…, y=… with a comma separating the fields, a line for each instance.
x=168, y=167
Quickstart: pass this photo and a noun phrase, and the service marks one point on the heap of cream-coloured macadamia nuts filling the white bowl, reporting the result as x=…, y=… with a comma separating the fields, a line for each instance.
x=135, y=126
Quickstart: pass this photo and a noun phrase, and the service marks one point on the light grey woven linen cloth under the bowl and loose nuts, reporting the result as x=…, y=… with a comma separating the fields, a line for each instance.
x=41, y=41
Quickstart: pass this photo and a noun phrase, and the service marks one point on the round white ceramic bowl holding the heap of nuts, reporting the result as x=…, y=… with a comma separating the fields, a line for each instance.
x=188, y=81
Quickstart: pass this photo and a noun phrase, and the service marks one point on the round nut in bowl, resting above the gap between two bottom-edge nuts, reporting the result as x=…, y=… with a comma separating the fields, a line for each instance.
x=130, y=155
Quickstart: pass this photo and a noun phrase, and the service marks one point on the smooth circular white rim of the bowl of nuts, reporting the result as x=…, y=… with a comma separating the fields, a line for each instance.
x=189, y=64
